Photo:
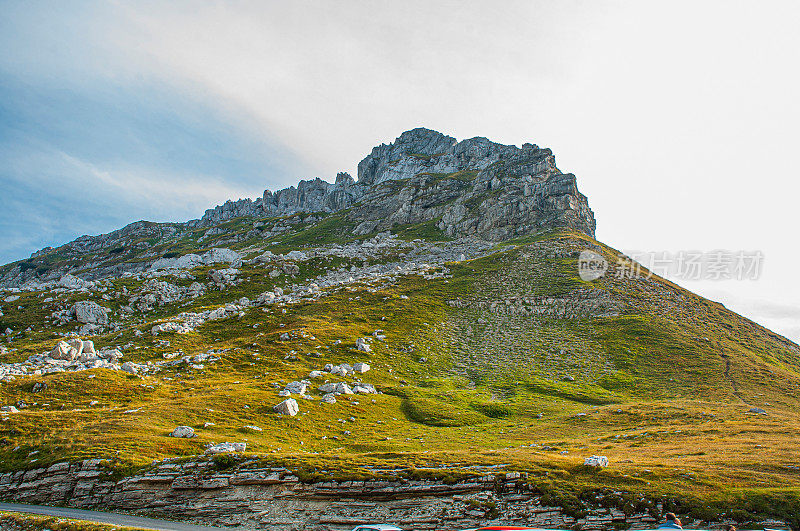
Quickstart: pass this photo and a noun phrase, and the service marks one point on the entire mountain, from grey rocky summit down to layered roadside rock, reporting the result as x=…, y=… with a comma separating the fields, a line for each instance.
x=414, y=346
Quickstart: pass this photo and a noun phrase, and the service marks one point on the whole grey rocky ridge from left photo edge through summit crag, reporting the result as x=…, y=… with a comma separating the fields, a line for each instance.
x=425, y=183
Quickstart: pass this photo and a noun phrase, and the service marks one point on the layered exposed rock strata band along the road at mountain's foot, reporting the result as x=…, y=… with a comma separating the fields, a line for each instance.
x=273, y=498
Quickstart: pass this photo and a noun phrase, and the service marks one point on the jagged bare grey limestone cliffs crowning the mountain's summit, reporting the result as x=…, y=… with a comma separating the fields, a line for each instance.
x=470, y=188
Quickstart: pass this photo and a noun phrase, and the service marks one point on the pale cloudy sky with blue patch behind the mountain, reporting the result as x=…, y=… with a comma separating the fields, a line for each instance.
x=678, y=118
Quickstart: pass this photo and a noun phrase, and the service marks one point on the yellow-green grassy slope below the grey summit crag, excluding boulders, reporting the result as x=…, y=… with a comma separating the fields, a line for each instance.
x=651, y=388
